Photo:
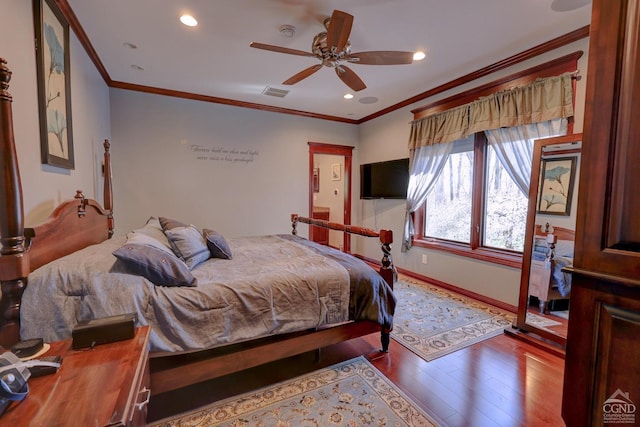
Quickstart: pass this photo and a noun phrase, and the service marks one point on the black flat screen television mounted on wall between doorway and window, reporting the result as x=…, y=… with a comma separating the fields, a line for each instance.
x=384, y=180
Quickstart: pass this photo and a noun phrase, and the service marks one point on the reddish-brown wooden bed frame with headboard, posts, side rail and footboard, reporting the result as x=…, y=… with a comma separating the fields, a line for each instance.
x=81, y=222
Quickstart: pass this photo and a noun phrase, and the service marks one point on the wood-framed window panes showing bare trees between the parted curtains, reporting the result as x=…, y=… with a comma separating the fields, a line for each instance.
x=475, y=208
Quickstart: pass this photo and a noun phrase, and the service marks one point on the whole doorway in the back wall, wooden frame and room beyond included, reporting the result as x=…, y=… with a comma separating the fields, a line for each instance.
x=330, y=191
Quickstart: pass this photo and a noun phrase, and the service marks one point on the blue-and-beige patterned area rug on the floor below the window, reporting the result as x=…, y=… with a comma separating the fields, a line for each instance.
x=432, y=322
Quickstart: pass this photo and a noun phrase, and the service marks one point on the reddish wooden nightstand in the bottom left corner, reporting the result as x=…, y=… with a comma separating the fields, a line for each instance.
x=104, y=386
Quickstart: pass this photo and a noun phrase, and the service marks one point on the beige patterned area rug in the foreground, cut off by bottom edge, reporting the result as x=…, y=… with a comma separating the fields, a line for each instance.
x=352, y=393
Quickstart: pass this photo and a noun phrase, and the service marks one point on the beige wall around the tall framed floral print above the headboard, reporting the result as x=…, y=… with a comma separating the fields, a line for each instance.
x=44, y=187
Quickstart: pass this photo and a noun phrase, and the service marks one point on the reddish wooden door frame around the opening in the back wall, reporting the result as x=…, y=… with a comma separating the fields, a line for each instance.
x=347, y=153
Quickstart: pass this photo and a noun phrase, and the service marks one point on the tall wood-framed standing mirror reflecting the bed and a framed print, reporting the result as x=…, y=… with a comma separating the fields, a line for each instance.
x=545, y=283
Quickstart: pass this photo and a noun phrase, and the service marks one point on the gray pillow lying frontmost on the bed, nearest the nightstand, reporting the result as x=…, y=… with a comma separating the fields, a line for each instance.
x=157, y=265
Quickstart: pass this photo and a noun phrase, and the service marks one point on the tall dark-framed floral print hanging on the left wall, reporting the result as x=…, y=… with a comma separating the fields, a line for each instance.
x=54, y=84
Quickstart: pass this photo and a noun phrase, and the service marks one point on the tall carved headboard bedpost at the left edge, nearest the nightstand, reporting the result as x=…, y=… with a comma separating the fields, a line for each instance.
x=14, y=262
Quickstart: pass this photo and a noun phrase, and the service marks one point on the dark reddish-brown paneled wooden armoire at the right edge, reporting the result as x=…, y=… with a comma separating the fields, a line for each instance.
x=602, y=367
